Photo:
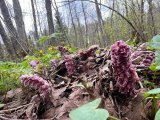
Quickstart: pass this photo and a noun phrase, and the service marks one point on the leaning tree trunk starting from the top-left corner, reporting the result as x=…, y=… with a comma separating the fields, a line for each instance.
x=8, y=22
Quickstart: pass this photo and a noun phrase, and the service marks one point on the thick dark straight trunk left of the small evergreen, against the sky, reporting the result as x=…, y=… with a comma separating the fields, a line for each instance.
x=49, y=16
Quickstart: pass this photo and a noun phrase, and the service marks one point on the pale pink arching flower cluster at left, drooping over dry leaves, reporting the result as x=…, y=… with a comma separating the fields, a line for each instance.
x=38, y=83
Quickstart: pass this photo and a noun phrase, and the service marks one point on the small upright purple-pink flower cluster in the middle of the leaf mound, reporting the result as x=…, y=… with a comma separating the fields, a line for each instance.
x=70, y=66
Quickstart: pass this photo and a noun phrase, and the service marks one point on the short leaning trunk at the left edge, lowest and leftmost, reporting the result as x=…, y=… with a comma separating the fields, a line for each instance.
x=7, y=42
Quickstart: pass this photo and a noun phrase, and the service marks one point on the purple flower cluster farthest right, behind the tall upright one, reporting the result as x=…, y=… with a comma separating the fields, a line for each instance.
x=148, y=59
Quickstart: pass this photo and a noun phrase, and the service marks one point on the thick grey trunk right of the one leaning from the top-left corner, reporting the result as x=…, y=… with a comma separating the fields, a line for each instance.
x=20, y=24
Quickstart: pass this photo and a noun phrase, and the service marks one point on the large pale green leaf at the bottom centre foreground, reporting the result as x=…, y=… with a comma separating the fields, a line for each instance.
x=89, y=112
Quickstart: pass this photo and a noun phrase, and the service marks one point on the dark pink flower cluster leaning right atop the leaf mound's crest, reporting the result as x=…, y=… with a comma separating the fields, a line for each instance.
x=88, y=53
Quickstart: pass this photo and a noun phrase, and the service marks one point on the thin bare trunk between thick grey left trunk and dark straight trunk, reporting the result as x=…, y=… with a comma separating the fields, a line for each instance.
x=35, y=21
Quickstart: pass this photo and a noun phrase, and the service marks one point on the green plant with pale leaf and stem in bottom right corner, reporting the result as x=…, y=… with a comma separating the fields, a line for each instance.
x=153, y=95
